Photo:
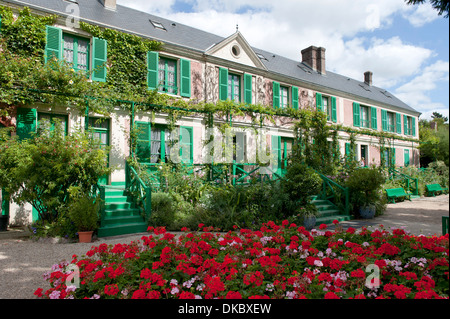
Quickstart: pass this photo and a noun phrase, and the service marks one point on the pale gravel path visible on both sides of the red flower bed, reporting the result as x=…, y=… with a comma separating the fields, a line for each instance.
x=23, y=261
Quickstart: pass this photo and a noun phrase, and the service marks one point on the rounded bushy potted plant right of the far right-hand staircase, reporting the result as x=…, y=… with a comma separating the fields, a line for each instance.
x=365, y=185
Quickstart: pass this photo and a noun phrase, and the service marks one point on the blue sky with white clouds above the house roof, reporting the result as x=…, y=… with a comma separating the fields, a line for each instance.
x=406, y=47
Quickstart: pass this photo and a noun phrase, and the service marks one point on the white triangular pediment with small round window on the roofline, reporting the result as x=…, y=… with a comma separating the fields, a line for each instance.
x=236, y=49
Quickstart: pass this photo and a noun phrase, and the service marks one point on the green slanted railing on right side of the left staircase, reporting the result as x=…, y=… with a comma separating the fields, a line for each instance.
x=141, y=192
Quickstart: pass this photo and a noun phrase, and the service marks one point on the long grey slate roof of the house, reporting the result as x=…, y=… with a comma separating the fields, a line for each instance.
x=134, y=21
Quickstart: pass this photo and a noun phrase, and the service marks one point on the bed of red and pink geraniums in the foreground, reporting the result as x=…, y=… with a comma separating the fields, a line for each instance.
x=277, y=262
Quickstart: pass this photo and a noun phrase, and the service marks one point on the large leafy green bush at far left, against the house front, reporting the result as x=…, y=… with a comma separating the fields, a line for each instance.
x=41, y=170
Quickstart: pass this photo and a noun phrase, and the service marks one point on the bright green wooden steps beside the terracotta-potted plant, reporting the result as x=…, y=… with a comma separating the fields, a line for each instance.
x=120, y=215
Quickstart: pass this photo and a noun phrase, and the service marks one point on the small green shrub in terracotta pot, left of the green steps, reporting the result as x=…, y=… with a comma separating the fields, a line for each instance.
x=83, y=211
